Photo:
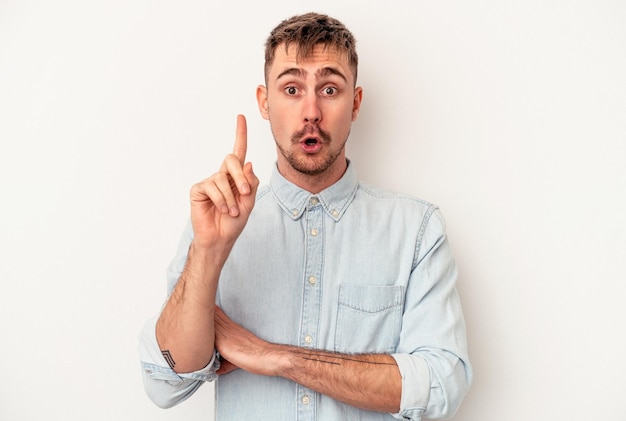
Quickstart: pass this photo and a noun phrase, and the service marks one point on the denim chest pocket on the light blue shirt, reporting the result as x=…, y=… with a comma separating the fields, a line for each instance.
x=369, y=318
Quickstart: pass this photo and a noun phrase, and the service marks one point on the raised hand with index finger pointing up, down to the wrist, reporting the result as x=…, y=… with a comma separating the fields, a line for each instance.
x=221, y=204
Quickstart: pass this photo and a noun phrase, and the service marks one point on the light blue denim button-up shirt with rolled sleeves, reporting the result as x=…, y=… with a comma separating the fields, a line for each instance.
x=353, y=269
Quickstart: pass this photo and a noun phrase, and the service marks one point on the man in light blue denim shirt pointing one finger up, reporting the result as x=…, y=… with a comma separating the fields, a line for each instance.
x=331, y=300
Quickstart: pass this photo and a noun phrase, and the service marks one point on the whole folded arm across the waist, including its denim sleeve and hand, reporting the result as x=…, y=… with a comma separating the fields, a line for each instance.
x=430, y=372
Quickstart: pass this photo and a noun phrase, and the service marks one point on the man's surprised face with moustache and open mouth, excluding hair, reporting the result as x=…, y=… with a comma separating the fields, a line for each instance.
x=310, y=105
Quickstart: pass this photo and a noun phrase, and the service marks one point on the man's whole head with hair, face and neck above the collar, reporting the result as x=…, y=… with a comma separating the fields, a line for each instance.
x=310, y=97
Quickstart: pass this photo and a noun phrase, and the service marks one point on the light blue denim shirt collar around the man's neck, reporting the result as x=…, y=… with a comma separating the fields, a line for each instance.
x=334, y=200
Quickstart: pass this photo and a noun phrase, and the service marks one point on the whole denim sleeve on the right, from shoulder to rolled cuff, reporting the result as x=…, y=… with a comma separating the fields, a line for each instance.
x=432, y=352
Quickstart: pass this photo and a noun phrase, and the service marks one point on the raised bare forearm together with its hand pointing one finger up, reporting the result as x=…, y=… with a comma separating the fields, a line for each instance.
x=220, y=207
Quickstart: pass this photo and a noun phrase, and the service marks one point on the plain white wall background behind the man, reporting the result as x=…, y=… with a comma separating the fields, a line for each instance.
x=511, y=115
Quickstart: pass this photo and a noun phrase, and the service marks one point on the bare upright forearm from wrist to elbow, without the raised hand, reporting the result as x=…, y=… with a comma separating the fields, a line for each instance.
x=185, y=329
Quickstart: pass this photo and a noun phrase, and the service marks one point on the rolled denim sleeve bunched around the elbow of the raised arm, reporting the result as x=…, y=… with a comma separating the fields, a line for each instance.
x=163, y=385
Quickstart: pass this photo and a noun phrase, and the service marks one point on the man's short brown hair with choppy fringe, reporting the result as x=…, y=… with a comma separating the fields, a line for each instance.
x=308, y=30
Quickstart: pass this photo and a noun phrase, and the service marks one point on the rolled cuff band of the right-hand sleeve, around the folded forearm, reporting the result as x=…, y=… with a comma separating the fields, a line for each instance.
x=415, y=386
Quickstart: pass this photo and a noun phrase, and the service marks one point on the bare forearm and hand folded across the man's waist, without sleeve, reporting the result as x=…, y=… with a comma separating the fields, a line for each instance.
x=370, y=381
